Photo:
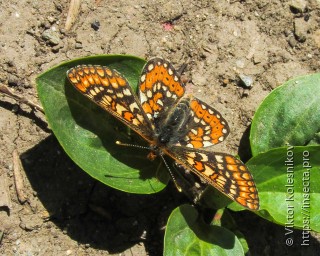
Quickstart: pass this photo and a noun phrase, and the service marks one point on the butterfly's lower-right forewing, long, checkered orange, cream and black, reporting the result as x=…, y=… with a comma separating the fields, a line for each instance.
x=224, y=172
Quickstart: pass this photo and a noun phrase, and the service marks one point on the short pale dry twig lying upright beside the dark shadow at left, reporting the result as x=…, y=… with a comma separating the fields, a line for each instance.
x=18, y=179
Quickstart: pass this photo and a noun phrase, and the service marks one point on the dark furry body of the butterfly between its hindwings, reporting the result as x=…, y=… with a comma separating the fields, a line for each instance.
x=170, y=127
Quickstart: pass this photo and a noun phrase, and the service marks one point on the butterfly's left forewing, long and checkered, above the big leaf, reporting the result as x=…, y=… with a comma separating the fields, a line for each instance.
x=111, y=91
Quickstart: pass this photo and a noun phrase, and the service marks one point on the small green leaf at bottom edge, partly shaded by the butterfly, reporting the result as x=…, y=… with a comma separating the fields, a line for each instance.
x=186, y=234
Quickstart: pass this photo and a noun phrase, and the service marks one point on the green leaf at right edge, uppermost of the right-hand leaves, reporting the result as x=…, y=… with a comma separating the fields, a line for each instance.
x=288, y=115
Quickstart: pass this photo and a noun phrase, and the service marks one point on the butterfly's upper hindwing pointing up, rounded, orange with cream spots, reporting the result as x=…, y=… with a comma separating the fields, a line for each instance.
x=160, y=87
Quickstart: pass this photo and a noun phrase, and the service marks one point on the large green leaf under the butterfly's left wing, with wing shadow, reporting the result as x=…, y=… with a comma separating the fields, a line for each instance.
x=88, y=134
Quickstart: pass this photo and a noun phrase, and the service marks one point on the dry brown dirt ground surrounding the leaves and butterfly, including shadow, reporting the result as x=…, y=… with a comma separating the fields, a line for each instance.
x=69, y=213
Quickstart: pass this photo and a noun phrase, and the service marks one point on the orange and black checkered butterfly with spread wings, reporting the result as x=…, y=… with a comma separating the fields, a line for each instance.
x=173, y=123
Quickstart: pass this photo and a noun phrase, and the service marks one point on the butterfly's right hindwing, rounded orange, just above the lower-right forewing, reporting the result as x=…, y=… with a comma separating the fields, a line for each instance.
x=206, y=126
